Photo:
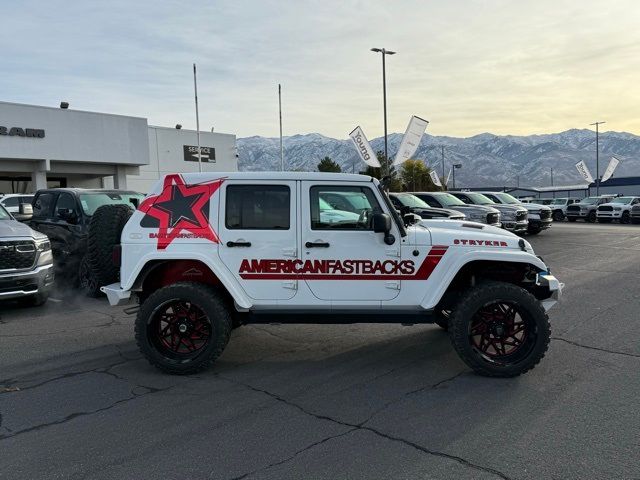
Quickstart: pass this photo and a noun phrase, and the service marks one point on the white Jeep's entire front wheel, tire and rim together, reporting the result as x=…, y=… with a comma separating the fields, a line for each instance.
x=500, y=330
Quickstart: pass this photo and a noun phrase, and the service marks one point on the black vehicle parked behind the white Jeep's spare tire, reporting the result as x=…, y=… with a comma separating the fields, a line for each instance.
x=64, y=215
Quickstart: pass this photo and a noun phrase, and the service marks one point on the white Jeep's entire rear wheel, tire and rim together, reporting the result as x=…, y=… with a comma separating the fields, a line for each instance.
x=183, y=328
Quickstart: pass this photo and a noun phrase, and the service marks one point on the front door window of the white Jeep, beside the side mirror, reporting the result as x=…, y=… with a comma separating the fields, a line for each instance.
x=342, y=207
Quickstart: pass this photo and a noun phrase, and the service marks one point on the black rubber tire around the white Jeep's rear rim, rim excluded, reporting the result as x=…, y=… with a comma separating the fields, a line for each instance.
x=205, y=298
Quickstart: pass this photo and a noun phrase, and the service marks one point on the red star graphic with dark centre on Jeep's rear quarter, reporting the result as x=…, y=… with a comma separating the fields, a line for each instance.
x=171, y=204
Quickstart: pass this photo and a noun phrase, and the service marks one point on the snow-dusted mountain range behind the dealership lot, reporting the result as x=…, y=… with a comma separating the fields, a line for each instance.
x=487, y=160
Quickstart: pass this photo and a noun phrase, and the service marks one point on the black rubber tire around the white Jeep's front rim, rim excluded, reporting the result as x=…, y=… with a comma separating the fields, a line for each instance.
x=486, y=293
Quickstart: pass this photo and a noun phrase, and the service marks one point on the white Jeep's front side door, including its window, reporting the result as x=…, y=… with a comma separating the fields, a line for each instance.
x=342, y=258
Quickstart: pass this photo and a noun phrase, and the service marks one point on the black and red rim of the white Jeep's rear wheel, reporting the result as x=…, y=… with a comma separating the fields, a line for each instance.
x=179, y=329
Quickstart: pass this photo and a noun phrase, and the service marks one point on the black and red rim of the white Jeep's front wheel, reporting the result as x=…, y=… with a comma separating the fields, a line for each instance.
x=502, y=332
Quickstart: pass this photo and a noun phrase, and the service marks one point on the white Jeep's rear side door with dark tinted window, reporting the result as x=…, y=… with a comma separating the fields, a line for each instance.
x=258, y=236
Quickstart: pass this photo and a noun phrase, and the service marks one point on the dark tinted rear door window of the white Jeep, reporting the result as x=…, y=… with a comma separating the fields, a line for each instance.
x=258, y=207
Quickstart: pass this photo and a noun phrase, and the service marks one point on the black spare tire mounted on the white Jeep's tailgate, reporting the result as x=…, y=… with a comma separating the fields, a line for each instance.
x=105, y=229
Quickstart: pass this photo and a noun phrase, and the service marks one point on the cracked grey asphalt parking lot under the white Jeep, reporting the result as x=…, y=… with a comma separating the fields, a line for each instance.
x=333, y=402
